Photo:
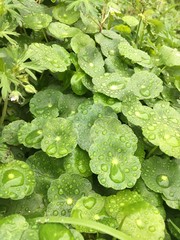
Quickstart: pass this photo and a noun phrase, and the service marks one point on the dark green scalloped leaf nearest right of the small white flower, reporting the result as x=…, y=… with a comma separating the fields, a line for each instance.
x=45, y=103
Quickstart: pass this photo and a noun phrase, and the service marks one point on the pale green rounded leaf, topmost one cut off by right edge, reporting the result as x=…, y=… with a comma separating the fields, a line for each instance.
x=169, y=56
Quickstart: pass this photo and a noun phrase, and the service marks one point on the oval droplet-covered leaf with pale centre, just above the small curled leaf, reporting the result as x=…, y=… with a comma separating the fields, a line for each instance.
x=91, y=61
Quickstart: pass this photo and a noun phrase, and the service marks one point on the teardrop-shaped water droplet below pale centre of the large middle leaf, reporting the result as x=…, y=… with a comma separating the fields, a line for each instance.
x=116, y=174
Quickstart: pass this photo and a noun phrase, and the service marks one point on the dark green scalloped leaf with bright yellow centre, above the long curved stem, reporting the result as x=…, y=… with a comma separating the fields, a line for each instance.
x=64, y=193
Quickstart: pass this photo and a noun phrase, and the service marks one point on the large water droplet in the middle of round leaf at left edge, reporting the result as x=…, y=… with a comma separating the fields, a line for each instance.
x=13, y=178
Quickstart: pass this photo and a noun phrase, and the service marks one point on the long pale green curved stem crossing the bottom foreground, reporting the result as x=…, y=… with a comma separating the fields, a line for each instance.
x=86, y=223
